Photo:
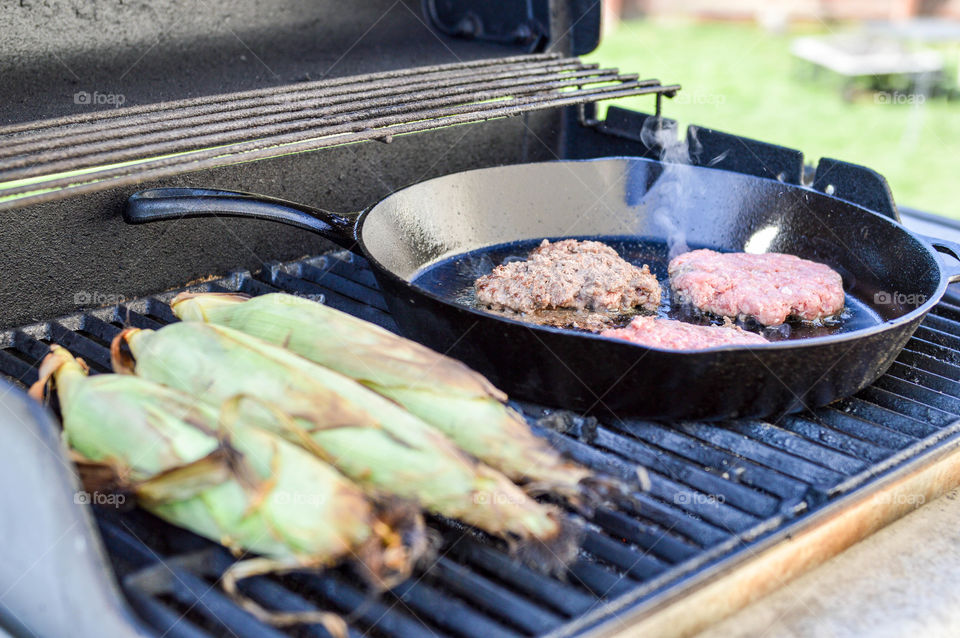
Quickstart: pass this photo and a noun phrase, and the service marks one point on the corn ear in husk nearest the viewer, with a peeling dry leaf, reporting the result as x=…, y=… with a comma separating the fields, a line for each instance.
x=236, y=484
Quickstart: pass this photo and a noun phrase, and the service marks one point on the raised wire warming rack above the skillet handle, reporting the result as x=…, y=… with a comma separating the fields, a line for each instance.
x=95, y=151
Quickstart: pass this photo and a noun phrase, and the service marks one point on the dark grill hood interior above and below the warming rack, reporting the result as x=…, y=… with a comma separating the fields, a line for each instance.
x=147, y=52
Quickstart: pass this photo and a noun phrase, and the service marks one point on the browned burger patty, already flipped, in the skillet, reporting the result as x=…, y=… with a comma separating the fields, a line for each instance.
x=572, y=274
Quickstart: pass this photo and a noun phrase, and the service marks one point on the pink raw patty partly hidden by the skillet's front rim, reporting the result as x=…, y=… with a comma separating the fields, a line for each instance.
x=676, y=335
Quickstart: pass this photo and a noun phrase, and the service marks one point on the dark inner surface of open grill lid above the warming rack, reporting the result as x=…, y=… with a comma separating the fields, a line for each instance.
x=148, y=52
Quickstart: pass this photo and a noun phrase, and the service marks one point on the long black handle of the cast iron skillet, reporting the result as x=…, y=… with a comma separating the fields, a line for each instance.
x=157, y=204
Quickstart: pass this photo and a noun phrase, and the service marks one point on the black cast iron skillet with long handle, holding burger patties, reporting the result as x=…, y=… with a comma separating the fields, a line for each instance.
x=892, y=277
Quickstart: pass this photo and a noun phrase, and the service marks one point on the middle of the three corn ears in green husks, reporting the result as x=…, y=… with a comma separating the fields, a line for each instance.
x=384, y=447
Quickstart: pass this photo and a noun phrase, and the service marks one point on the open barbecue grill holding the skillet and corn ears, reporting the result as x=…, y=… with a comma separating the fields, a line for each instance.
x=733, y=509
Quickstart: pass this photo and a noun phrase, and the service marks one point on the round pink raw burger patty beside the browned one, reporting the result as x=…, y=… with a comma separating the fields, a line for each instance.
x=769, y=288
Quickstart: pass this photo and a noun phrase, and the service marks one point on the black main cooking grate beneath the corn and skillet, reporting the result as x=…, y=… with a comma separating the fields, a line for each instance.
x=714, y=490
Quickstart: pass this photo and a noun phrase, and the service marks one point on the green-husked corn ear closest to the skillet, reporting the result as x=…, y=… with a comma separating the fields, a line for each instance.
x=442, y=391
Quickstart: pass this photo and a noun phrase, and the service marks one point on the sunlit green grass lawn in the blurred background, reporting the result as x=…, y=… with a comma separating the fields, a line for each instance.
x=740, y=79
